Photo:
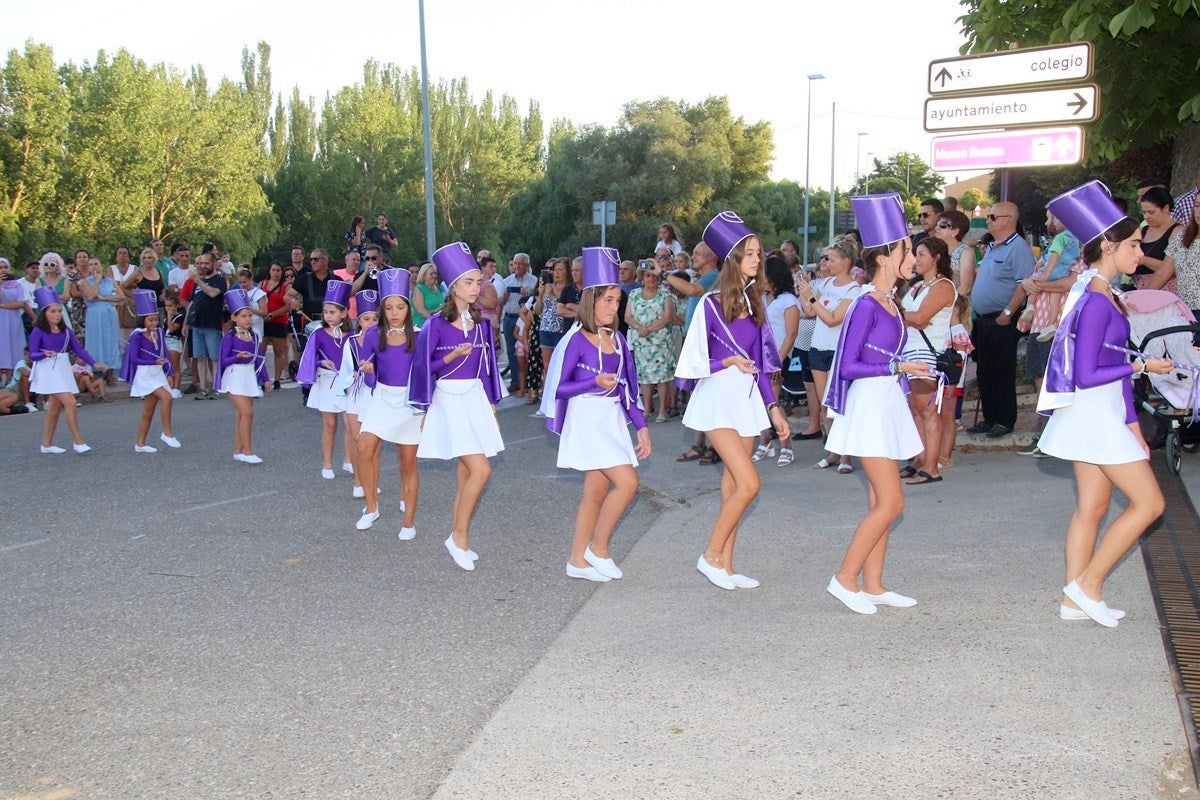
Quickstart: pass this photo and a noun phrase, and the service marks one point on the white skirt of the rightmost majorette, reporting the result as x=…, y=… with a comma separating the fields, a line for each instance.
x=1093, y=430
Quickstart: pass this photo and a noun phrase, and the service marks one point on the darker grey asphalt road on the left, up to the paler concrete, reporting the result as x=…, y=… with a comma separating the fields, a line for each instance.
x=182, y=625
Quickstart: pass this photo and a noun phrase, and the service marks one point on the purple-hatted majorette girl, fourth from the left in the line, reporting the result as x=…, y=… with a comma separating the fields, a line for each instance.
x=320, y=365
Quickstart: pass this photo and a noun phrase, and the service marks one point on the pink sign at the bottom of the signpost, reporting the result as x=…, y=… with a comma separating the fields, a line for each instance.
x=1025, y=148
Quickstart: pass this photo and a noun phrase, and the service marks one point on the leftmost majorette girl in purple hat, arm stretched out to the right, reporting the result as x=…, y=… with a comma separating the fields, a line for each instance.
x=52, y=375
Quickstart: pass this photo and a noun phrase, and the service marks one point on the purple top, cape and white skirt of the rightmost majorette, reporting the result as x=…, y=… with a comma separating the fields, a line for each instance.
x=1088, y=392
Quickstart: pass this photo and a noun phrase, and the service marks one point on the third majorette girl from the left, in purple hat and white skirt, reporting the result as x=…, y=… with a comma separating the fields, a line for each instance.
x=242, y=374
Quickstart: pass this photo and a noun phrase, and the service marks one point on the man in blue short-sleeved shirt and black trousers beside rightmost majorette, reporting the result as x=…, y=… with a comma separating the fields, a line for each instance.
x=998, y=298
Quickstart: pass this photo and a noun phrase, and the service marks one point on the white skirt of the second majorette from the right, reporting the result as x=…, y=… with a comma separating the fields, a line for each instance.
x=878, y=423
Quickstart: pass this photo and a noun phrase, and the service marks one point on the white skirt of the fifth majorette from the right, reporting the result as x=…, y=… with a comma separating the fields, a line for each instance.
x=460, y=423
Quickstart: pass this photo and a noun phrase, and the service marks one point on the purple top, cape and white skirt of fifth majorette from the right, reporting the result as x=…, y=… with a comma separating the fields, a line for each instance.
x=457, y=398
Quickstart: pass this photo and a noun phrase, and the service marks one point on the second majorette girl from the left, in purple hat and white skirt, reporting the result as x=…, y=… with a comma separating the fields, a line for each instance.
x=146, y=369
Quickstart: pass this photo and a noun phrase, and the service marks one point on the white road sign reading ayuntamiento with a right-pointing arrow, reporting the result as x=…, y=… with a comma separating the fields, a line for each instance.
x=1013, y=110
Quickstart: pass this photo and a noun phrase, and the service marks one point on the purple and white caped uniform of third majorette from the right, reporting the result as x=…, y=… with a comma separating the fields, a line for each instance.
x=727, y=398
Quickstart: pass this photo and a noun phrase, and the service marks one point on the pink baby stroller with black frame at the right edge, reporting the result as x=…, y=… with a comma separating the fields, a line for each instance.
x=1162, y=327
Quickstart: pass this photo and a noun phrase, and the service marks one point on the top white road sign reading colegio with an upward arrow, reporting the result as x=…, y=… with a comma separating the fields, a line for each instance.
x=1034, y=67
